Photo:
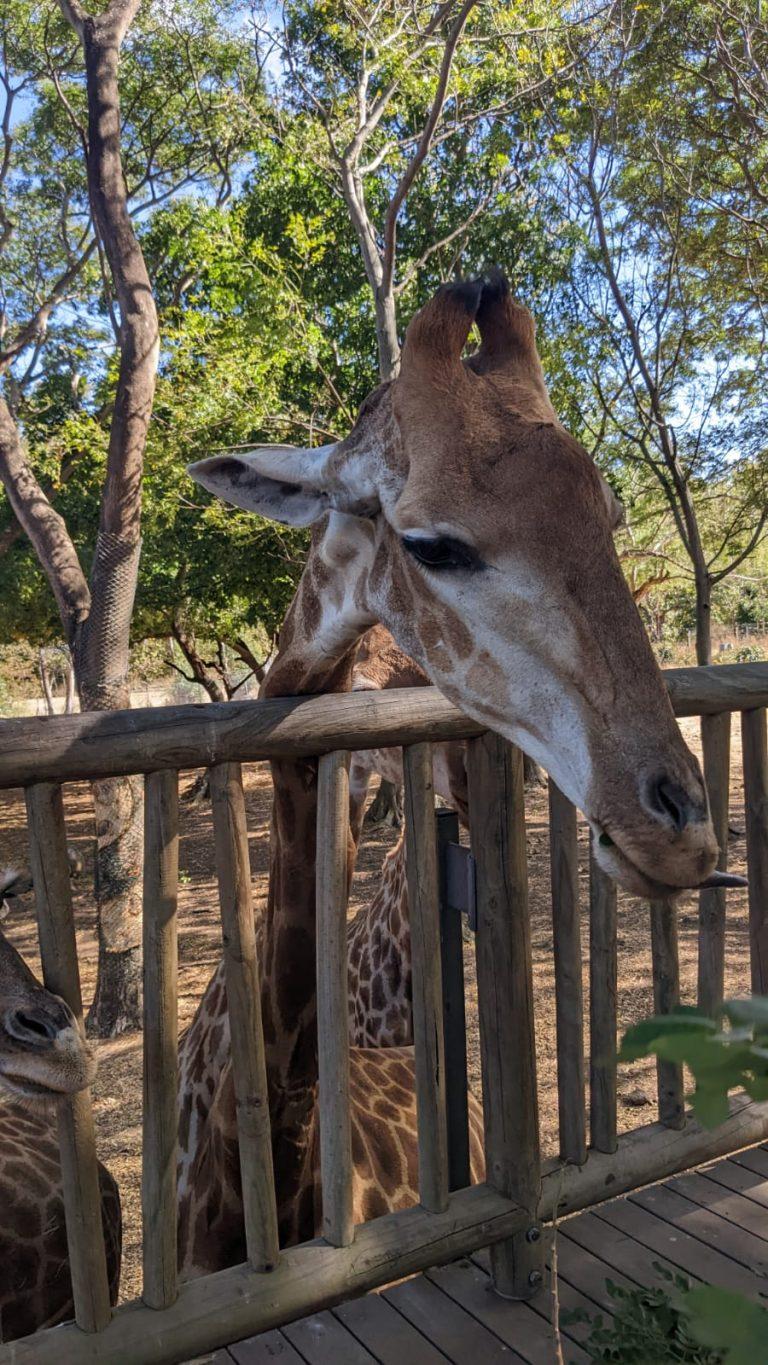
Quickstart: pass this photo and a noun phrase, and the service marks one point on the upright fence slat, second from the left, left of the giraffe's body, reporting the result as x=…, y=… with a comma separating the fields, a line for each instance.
x=160, y=1038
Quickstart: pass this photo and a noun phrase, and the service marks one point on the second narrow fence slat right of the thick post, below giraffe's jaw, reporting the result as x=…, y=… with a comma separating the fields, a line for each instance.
x=602, y=1008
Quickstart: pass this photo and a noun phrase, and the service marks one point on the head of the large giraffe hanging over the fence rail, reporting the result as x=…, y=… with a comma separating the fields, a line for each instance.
x=462, y=515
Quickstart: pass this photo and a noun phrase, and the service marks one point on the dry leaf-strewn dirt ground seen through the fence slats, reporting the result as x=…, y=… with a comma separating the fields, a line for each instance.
x=119, y=1086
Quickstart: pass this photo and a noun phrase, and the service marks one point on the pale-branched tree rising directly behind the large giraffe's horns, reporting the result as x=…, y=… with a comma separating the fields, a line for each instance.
x=404, y=109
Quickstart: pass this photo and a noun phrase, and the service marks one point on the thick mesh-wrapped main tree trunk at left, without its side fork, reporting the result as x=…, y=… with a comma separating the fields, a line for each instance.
x=102, y=645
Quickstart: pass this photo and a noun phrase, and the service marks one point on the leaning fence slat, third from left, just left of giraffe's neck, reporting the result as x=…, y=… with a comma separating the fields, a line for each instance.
x=243, y=997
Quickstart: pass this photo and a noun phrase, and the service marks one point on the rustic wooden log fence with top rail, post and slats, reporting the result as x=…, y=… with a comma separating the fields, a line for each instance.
x=174, y=1322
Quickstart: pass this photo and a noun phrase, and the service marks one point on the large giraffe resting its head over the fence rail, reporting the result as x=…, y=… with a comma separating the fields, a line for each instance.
x=462, y=515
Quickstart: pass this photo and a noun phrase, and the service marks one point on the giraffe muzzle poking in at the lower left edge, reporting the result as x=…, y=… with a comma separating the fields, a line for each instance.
x=43, y=1049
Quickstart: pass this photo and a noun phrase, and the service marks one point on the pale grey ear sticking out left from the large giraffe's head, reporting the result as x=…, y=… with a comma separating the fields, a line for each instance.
x=284, y=484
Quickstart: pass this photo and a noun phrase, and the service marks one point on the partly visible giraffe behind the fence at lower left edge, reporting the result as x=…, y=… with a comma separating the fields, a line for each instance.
x=43, y=1057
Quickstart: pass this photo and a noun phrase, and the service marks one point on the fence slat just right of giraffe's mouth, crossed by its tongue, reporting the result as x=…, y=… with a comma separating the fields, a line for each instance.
x=717, y=745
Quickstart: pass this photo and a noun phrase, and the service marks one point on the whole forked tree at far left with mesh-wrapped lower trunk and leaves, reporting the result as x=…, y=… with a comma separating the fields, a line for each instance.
x=178, y=134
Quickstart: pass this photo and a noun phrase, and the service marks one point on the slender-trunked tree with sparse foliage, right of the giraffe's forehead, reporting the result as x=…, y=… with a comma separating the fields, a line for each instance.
x=675, y=342
